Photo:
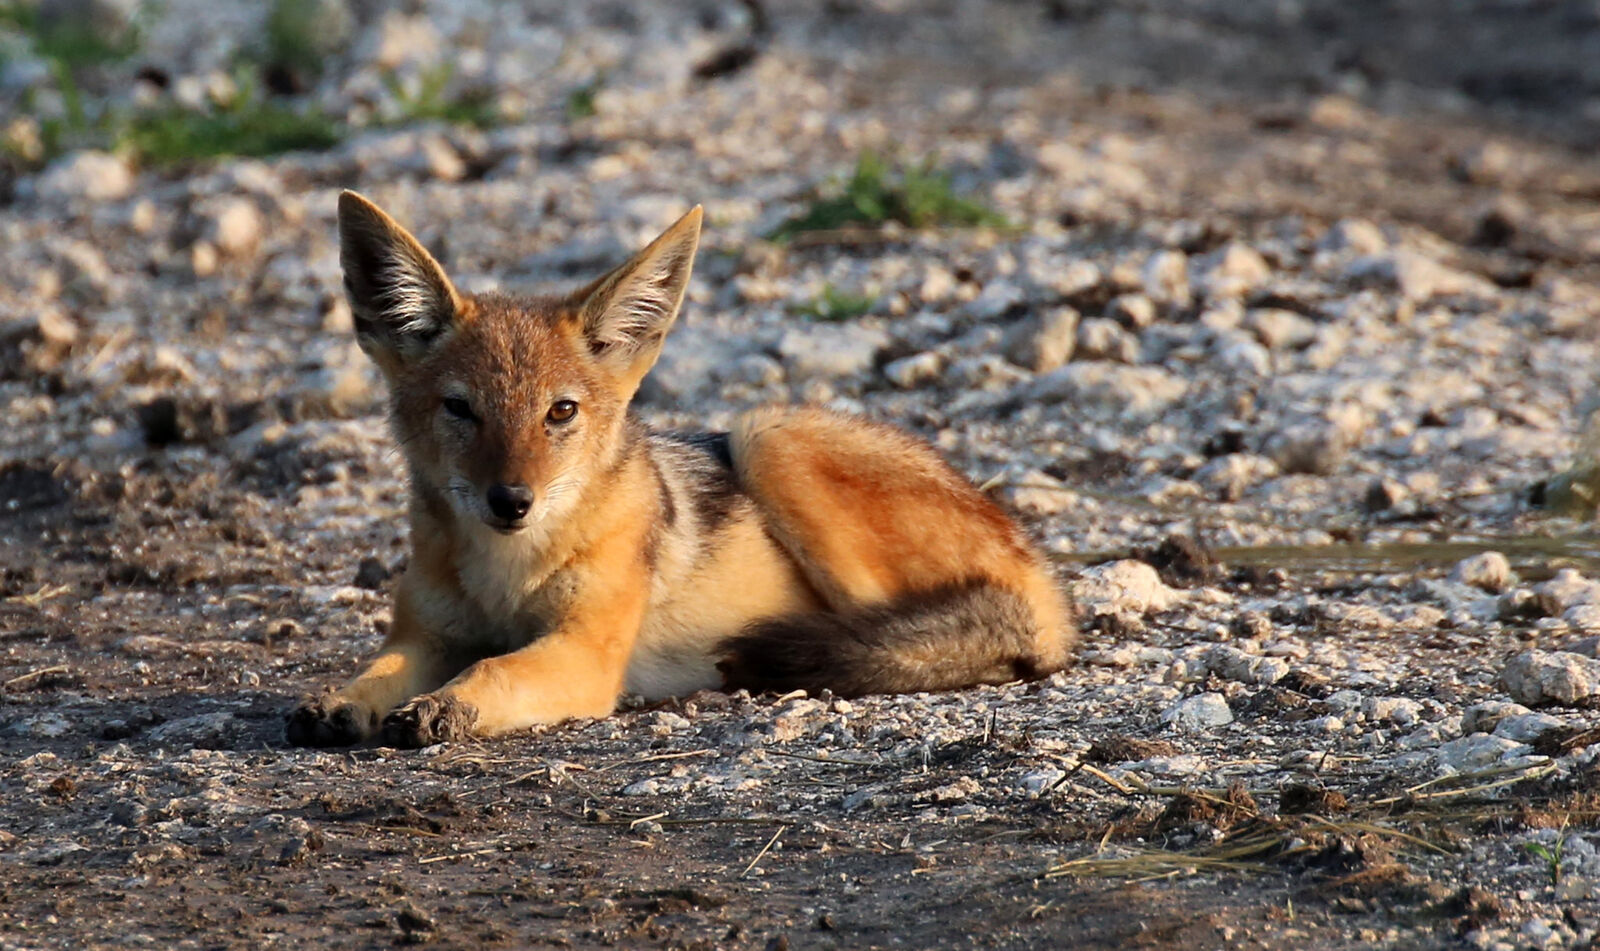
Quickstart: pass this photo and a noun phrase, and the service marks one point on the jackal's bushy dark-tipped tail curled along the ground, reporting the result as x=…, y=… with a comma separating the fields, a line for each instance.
x=951, y=638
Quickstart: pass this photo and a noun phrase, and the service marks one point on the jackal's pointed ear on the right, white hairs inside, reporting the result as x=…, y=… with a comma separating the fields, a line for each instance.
x=628, y=313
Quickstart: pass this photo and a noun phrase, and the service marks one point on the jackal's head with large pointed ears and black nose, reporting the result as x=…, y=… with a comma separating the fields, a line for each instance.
x=508, y=407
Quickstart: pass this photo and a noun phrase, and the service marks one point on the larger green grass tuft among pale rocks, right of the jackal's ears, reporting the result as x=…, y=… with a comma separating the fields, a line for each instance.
x=878, y=193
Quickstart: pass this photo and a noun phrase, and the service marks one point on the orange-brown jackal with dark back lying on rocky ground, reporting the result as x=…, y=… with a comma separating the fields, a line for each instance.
x=649, y=563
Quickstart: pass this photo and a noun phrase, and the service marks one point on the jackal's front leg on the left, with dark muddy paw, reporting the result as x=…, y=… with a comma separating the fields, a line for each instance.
x=409, y=664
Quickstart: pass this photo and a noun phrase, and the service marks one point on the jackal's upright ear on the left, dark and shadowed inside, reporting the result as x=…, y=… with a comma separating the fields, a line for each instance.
x=399, y=294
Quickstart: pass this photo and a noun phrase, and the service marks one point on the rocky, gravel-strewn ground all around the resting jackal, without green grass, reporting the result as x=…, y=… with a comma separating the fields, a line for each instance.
x=1279, y=331
